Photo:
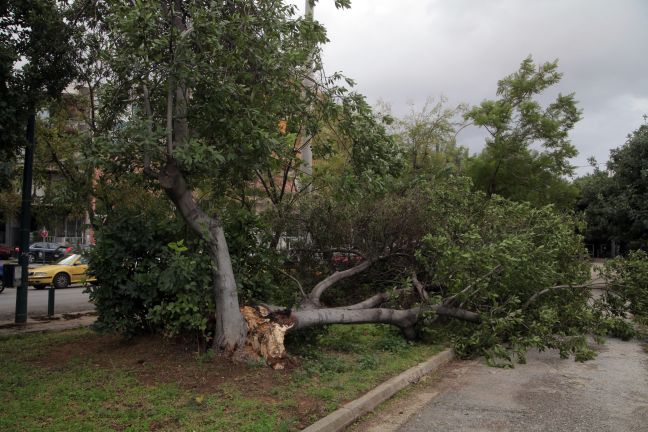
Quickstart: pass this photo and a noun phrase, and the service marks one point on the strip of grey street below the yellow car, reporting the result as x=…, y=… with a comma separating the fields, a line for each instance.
x=66, y=300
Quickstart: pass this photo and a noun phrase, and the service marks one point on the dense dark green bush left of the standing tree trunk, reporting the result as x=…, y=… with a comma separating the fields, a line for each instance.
x=129, y=260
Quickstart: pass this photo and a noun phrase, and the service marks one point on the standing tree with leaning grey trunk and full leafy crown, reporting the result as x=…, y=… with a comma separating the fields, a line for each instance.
x=197, y=90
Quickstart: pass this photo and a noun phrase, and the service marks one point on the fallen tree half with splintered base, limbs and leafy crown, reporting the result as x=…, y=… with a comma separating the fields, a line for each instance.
x=495, y=278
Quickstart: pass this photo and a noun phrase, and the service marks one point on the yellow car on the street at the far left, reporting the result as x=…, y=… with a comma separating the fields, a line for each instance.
x=72, y=269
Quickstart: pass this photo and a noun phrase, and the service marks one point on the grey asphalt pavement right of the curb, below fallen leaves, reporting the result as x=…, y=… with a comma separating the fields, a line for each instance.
x=607, y=394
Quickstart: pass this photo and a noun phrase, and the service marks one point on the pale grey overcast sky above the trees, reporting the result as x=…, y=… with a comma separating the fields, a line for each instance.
x=407, y=50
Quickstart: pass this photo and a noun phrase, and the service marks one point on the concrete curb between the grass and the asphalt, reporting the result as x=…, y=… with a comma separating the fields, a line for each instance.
x=343, y=417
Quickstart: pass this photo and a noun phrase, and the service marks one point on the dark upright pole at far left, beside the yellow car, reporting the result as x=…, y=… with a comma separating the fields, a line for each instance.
x=25, y=221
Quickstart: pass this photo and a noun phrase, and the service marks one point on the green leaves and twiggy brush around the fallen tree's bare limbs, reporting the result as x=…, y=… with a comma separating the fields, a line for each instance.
x=493, y=256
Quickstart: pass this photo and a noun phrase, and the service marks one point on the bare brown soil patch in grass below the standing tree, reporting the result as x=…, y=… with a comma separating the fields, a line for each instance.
x=156, y=360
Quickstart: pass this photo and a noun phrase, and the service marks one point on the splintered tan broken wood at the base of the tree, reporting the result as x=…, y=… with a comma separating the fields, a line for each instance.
x=266, y=332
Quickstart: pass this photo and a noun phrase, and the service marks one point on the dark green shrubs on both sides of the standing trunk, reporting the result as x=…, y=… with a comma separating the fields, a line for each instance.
x=153, y=275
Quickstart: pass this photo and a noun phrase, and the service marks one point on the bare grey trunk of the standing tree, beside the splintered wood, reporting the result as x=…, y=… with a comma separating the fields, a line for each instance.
x=231, y=328
